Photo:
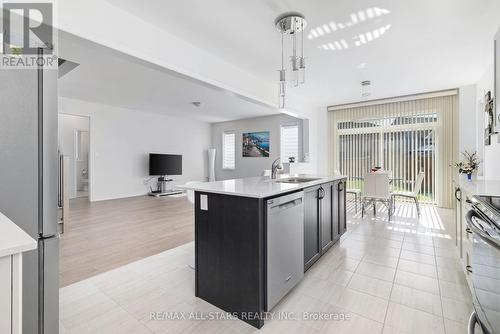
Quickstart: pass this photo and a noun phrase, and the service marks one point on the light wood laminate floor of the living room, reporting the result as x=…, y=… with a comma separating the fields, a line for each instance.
x=104, y=235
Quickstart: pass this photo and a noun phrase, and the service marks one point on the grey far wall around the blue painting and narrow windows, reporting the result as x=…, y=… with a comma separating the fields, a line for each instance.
x=252, y=166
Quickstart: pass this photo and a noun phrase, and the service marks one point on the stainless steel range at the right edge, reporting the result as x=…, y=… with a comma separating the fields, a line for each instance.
x=483, y=221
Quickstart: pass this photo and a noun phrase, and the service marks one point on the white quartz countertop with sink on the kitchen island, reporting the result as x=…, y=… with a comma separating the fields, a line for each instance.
x=258, y=187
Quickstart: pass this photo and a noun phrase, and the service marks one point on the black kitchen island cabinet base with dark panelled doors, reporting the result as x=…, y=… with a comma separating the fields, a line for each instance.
x=231, y=244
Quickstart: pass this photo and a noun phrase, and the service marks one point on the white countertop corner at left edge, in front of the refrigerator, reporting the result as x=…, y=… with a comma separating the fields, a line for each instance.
x=13, y=239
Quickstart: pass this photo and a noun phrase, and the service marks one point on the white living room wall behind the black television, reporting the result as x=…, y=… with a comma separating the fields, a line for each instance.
x=121, y=140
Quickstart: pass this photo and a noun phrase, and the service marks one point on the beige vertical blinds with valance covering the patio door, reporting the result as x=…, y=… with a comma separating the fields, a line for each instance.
x=403, y=137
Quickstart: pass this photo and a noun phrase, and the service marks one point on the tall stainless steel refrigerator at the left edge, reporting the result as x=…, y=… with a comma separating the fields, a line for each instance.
x=28, y=186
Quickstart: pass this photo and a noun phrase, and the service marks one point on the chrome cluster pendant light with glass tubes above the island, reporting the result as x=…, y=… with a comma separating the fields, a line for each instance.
x=292, y=24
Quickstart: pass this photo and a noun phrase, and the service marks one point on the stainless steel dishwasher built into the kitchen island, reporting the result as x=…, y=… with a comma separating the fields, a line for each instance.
x=285, y=245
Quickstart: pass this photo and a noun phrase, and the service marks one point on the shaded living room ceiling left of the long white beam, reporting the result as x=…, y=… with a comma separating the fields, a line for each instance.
x=110, y=77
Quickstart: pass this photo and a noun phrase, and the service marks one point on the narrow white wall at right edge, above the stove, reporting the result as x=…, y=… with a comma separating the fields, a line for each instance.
x=491, y=158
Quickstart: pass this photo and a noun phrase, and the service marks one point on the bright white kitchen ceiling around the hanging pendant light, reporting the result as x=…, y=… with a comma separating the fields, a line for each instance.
x=429, y=45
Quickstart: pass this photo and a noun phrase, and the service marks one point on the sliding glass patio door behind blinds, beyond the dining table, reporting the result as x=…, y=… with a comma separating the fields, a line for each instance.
x=404, y=145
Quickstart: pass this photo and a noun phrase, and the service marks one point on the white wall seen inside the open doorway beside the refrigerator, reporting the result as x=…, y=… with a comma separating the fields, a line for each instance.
x=66, y=140
